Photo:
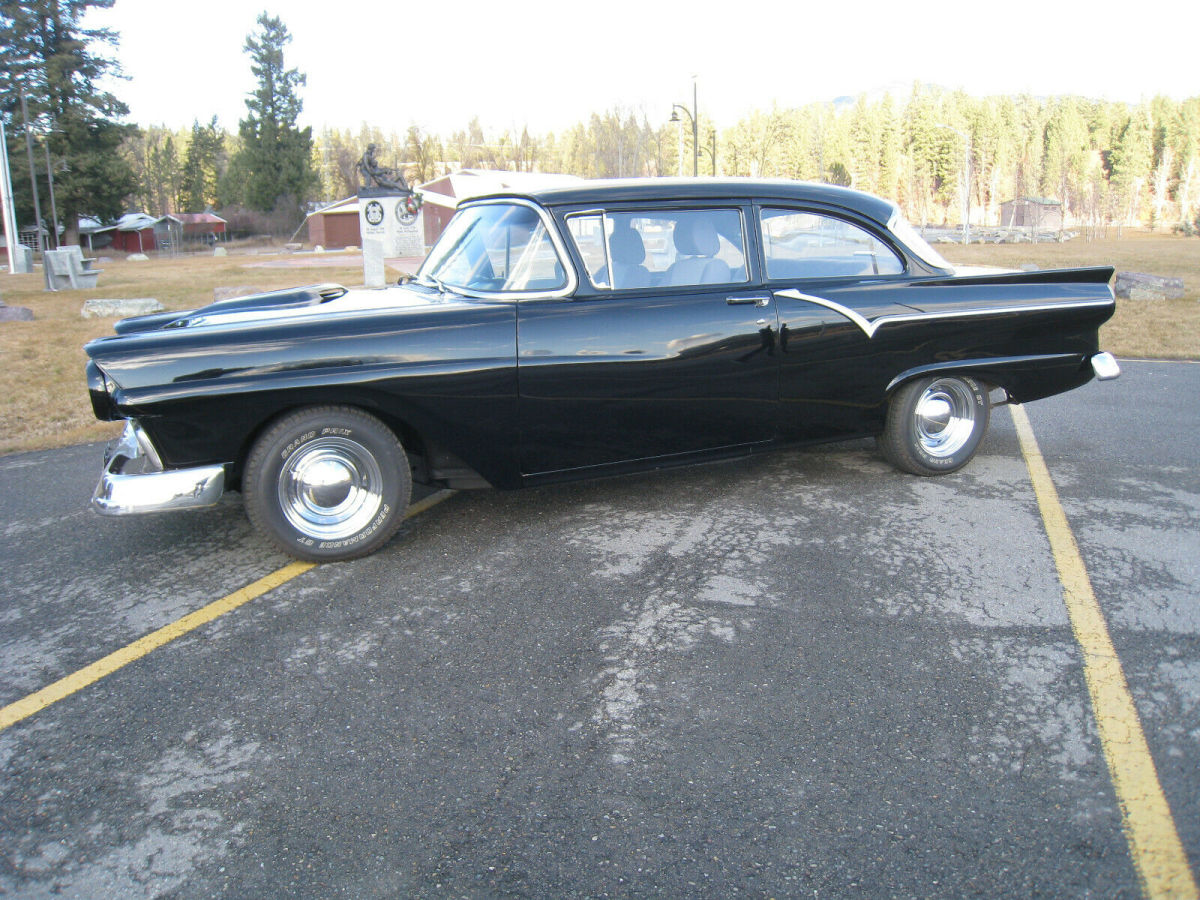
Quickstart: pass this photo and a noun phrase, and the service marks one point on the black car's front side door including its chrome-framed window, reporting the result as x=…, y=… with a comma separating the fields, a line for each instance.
x=670, y=353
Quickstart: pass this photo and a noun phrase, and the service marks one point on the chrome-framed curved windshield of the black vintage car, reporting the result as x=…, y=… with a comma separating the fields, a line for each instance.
x=496, y=249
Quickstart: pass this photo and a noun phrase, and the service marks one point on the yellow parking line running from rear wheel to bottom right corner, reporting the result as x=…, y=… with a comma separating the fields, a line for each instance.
x=1149, y=826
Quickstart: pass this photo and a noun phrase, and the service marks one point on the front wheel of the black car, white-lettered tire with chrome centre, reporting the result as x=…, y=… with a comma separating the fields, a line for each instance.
x=328, y=484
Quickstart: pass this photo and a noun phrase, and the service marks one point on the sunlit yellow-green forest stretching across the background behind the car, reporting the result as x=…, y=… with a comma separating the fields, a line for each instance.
x=937, y=153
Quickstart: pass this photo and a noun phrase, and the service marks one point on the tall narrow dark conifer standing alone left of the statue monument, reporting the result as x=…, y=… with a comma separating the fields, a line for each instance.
x=274, y=166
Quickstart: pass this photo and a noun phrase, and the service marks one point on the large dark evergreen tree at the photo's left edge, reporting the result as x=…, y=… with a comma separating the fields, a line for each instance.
x=56, y=63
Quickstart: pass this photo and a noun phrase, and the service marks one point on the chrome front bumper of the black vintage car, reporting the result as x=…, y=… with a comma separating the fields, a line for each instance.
x=151, y=489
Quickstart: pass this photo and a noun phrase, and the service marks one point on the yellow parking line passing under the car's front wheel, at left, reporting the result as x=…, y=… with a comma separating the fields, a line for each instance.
x=77, y=681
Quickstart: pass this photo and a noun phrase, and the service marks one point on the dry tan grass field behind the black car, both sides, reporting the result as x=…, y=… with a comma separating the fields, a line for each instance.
x=45, y=401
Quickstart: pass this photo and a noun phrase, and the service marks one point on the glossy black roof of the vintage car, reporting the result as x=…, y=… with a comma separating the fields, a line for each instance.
x=700, y=189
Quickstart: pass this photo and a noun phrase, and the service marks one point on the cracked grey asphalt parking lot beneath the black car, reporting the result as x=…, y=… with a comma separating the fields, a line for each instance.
x=796, y=675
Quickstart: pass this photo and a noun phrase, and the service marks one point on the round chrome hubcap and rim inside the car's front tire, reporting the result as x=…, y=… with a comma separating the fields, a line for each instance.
x=331, y=489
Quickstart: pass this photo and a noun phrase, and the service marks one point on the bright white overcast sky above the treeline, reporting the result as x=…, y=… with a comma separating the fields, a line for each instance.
x=548, y=64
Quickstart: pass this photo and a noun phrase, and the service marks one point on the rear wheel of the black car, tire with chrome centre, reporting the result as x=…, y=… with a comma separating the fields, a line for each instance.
x=935, y=425
